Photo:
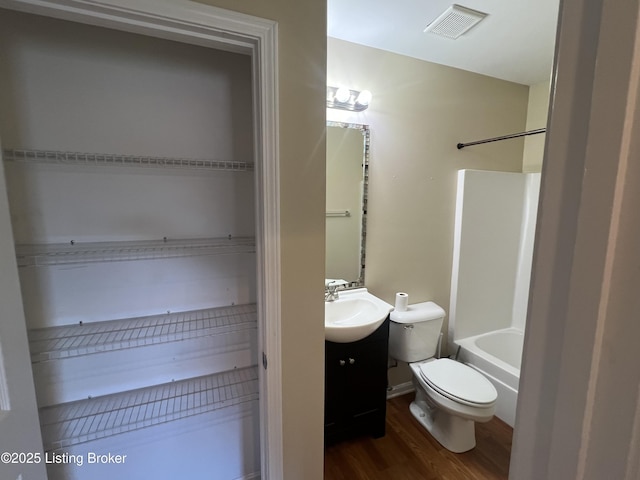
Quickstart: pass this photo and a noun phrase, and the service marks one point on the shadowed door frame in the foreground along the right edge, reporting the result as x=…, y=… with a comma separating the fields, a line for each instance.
x=579, y=398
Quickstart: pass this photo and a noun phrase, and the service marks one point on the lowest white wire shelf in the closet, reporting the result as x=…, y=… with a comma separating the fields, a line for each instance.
x=94, y=418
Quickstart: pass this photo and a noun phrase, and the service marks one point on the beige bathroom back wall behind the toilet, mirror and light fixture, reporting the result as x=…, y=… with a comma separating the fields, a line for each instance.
x=419, y=112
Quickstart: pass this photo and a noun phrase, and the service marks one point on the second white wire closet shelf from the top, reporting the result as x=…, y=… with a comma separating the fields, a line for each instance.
x=93, y=252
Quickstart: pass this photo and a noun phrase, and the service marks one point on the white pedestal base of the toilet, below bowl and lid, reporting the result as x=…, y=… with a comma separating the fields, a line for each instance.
x=454, y=433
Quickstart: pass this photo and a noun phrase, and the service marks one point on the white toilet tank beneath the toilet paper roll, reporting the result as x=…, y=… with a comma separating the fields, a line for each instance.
x=414, y=333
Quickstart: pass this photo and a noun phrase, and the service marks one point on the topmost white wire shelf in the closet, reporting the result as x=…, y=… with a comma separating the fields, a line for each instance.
x=106, y=159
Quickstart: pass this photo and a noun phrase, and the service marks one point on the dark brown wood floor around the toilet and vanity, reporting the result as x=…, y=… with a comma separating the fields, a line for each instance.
x=408, y=452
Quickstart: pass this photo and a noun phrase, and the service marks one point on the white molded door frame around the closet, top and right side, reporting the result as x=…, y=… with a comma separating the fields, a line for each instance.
x=204, y=25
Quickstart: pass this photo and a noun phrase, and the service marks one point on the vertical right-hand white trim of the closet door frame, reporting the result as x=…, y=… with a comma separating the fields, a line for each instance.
x=268, y=245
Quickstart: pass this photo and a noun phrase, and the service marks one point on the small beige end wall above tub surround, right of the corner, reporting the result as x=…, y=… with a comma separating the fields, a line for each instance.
x=537, y=112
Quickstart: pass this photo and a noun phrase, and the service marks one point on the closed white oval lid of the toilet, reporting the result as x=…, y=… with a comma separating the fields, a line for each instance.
x=458, y=381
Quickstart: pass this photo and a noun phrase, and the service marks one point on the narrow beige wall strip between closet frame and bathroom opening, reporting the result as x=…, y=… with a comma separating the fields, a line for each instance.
x=302, y=80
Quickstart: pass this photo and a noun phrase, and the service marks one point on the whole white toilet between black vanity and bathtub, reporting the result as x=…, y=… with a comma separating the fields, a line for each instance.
x=450, y=396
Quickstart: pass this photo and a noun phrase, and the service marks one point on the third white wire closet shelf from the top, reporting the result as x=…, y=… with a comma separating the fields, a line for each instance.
x=56, y=343
